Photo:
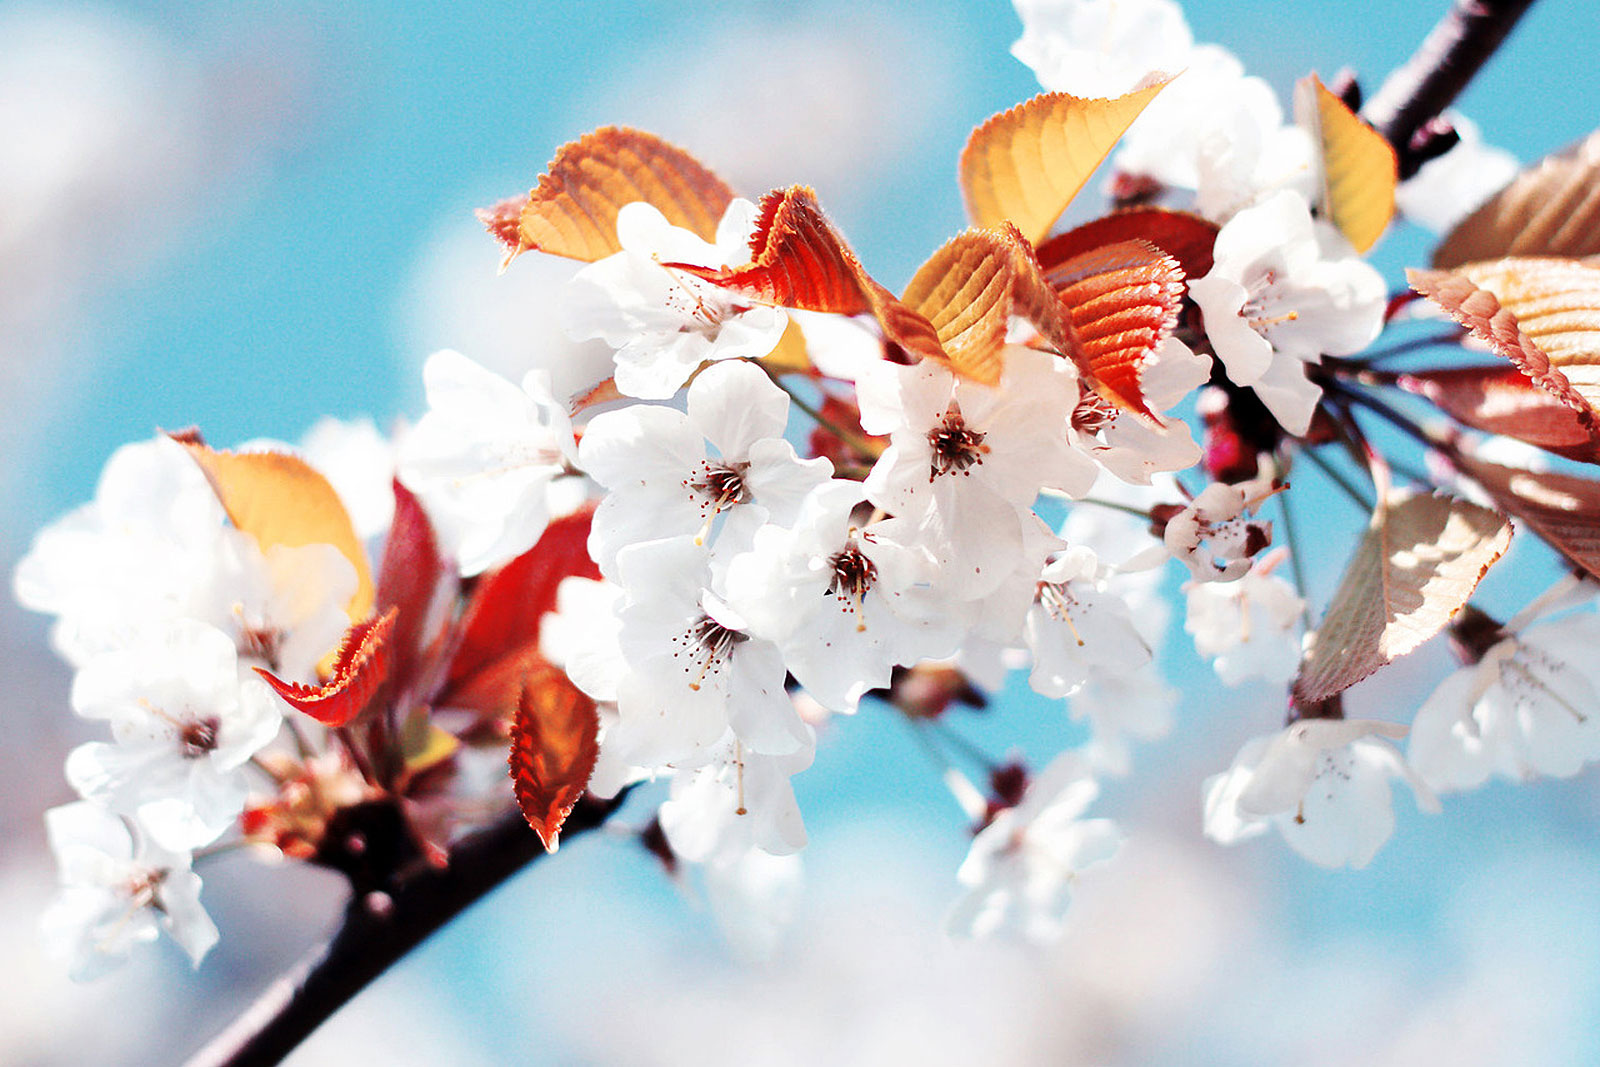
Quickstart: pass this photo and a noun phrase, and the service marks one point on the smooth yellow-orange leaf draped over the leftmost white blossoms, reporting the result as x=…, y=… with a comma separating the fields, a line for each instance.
x=282, y=500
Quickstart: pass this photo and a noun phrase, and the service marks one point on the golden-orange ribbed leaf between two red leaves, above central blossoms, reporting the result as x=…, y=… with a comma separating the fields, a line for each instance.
x=972, y=287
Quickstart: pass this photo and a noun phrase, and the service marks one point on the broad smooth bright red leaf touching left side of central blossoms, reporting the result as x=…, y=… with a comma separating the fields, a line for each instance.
x=503, y=618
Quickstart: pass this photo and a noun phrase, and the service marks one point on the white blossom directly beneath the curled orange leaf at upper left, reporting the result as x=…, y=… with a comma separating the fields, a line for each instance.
x=666, y=322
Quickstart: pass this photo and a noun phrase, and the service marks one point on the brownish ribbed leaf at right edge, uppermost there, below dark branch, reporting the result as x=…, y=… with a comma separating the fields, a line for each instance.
x=1551, y=209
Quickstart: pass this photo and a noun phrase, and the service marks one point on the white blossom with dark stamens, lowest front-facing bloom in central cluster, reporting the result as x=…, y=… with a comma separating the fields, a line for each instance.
x=694, y=669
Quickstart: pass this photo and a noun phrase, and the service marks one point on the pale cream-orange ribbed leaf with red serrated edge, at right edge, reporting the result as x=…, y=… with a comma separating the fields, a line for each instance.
x=1540, y=314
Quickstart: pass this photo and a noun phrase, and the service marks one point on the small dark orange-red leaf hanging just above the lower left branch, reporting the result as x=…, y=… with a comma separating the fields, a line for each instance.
x=554, y=743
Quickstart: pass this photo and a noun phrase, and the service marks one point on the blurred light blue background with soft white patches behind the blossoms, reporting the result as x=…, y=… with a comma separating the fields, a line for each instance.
x=250, y=217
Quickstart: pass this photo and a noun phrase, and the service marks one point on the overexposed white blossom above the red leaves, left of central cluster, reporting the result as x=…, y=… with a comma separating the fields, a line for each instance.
x=482, y=460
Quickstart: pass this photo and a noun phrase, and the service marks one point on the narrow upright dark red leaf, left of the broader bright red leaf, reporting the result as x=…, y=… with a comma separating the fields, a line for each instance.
x=412, y=581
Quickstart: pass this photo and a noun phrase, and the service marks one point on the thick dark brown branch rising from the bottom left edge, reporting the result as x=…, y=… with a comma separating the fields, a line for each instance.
x=388, y=917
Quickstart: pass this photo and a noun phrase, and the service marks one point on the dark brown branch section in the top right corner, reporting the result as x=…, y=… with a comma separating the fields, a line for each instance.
x=1436, y=74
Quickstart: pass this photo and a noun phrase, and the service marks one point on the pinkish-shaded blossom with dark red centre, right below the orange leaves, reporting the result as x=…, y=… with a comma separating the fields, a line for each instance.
x=966, y=462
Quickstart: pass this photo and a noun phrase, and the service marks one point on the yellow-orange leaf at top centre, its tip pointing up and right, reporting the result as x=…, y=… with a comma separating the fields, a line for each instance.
x=1026, y=166
